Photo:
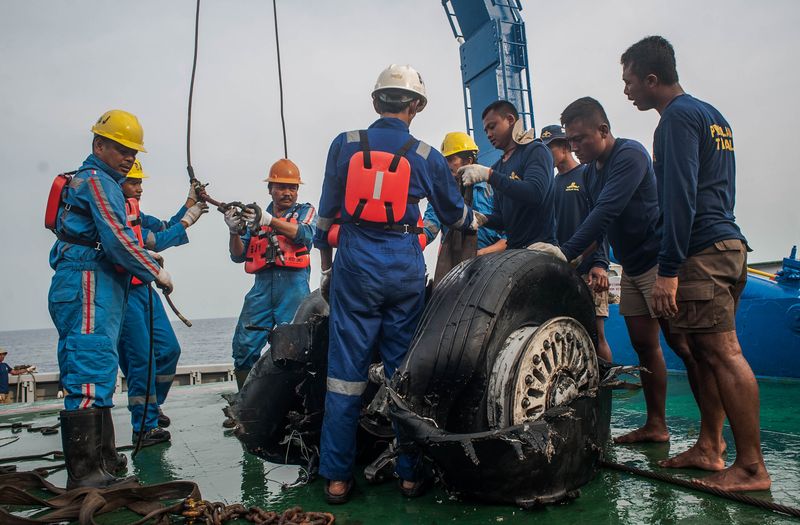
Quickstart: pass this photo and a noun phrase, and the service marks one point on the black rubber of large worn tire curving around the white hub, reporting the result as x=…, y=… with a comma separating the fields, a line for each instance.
x=471, y=313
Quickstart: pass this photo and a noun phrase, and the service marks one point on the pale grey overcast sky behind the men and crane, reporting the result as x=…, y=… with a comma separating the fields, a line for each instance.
x=65, y=63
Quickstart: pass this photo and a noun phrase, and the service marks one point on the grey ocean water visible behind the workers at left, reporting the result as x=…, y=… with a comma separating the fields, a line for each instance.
x=207, y=341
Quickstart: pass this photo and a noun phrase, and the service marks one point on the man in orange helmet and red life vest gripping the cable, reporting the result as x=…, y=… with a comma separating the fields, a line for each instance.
x=281, y=284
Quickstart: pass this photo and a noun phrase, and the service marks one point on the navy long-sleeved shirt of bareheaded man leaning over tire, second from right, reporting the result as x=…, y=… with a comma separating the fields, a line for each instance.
x=624, y=202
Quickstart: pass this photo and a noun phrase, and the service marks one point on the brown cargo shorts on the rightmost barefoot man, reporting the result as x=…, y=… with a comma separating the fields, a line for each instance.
x=710, y=283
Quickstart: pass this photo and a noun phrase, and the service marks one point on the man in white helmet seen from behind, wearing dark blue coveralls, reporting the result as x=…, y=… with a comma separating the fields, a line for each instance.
x=373, y=182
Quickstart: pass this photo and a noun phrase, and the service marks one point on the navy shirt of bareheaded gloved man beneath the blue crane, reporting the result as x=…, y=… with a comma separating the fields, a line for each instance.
x=523, y=202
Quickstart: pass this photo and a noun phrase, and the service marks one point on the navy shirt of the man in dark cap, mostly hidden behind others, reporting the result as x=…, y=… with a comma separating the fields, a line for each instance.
x=572, y=207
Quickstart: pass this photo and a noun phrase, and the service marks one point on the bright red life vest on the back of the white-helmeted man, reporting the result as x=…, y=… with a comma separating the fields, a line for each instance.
x=377, y=184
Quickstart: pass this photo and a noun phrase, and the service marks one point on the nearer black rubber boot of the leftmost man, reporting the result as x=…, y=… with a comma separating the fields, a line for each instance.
x=81, y=437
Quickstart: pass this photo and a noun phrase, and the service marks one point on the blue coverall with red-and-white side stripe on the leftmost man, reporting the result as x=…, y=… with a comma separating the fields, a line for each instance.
x=87, y=295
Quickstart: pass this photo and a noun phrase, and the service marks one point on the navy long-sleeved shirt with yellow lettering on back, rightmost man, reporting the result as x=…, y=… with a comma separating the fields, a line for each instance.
x=696, y=172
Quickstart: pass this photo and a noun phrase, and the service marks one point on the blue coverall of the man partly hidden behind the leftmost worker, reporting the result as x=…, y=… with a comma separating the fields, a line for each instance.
x=134, y=345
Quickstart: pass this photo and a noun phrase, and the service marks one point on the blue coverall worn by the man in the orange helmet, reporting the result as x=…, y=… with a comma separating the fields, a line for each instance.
x=275, y=295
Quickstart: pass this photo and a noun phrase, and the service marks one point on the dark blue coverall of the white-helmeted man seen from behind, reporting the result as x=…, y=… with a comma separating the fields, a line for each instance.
x=377, y=288
